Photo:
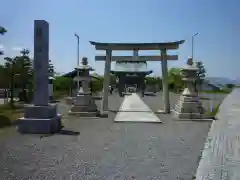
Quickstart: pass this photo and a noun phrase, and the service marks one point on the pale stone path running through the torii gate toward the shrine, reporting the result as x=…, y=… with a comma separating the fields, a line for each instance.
x=133, y=109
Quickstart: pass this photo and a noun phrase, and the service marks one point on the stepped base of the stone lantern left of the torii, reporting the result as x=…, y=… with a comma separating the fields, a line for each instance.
x=84, y=105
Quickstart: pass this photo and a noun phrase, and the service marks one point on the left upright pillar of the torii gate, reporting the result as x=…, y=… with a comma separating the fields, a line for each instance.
x=104, y=106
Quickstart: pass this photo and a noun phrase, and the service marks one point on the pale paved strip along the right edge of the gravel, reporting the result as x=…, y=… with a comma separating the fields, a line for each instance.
x=221, y=156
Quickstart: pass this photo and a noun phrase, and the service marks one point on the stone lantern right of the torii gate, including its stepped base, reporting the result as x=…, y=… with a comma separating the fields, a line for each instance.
x=189, y=106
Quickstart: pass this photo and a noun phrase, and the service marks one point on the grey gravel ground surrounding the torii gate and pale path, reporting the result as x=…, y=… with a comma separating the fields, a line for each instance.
x=105, y=150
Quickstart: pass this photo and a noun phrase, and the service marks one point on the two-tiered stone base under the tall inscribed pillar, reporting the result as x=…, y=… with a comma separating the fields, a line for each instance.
x=40, y=120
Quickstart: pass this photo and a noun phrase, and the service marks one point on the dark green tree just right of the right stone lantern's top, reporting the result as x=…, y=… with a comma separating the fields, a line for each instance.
x=201, y=74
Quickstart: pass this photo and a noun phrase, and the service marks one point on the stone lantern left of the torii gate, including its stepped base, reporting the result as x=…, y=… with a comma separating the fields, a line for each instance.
x=84, y=103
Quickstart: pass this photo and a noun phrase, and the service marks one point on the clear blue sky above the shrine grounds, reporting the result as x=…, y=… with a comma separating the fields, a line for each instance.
x=216, y=21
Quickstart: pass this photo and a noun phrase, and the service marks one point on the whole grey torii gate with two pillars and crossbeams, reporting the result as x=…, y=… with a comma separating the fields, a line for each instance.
x=135, y=47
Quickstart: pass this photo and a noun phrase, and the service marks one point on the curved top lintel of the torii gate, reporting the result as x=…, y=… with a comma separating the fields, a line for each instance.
x=137, y=46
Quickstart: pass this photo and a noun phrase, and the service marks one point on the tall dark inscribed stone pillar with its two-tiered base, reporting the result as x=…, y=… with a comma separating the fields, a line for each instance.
x=40, y=117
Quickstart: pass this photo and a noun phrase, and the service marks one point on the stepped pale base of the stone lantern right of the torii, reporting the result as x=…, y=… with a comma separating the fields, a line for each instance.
x=189, y=108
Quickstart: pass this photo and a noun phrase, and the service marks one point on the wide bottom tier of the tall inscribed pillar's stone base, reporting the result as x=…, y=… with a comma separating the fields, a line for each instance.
x=39, y=126
